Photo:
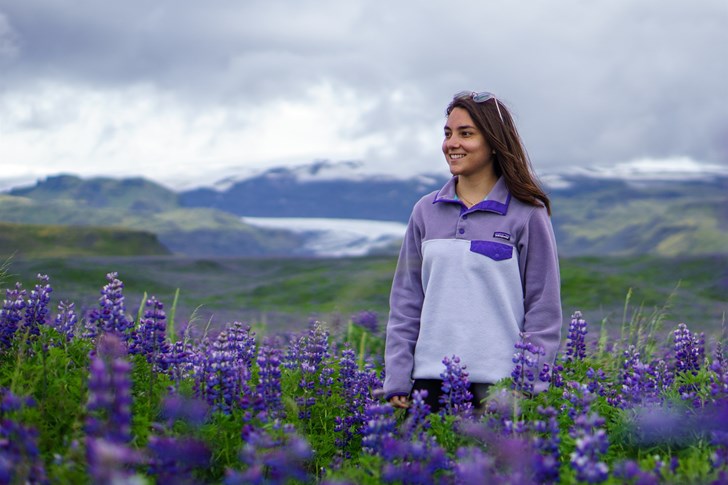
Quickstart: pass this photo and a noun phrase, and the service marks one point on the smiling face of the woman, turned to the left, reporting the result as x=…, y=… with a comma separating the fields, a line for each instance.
x=465, y=148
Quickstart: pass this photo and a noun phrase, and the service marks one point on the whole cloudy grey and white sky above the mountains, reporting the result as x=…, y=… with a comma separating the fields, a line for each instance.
x=182, y=90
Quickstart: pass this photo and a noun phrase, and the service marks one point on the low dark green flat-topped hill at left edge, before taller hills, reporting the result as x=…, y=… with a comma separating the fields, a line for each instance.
x=54, y=241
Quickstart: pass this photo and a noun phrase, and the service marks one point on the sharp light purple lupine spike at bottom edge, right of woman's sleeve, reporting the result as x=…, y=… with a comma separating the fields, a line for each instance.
x=591, y=443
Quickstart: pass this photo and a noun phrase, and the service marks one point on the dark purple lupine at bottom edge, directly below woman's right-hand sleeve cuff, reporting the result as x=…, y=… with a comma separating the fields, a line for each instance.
x=546, y=460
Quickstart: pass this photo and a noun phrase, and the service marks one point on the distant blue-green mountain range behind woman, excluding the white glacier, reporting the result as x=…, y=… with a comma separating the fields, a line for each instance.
x=592, y=215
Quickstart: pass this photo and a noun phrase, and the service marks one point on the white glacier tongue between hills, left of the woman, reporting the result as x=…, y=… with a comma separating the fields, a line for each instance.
x=336, y=237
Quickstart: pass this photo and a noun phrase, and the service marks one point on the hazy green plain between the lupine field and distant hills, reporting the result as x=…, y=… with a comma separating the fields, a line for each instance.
x=279, y=293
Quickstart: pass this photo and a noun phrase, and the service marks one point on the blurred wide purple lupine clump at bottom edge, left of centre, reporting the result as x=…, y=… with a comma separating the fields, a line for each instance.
x=272, y=460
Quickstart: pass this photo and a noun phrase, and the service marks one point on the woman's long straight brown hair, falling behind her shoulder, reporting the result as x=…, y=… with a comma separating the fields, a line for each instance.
x=510, y=159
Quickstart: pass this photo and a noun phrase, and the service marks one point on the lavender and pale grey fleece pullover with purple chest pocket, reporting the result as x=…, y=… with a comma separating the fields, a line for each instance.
x=470, y=282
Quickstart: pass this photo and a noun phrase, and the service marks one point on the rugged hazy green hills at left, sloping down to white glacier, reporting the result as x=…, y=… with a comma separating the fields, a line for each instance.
x=141, y=205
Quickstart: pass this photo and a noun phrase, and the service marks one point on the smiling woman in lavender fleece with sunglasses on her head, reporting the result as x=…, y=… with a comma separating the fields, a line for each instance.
x=478, y=269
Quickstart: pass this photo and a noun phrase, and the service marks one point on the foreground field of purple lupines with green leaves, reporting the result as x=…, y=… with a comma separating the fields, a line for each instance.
x=118, y=395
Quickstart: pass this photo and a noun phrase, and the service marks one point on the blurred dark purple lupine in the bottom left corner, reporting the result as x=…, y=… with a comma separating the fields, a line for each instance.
x=18, y=444
